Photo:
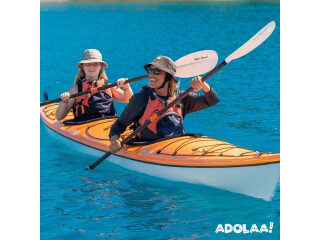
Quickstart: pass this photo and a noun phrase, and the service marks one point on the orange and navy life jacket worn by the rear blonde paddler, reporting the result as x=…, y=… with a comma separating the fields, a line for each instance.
x=93, y=105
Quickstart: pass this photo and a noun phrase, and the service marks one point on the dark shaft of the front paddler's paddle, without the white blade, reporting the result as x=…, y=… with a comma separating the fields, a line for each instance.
x=162, y=111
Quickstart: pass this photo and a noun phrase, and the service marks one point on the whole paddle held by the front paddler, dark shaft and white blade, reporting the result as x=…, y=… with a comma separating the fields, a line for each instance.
x=250, y=45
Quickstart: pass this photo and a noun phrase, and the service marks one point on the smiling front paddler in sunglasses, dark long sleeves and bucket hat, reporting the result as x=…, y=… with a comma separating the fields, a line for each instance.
x=161, y=91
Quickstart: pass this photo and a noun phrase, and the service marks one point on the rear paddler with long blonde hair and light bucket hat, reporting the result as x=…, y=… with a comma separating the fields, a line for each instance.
x=91, y=74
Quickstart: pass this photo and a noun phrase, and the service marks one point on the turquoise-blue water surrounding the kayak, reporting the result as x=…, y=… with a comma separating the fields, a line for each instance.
x=115, y=203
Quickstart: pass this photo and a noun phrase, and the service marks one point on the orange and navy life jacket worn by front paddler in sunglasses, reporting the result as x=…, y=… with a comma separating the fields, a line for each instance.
x=169, y=123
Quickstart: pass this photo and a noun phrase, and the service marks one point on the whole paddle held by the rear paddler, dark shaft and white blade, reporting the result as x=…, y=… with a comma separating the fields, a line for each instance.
x=190, y=65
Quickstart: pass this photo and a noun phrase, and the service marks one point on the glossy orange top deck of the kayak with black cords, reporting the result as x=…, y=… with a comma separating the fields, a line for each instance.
x=190, y=150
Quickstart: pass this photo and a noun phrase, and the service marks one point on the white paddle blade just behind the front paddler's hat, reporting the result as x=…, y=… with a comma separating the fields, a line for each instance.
x=196, y=63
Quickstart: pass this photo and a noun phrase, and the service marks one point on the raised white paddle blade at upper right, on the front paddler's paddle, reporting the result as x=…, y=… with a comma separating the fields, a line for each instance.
x=252, y=43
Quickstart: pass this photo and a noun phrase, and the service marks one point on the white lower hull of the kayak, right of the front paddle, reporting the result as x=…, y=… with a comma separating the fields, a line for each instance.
x=233, y=179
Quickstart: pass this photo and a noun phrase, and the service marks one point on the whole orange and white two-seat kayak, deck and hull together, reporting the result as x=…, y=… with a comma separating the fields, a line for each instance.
x=191, y=158
